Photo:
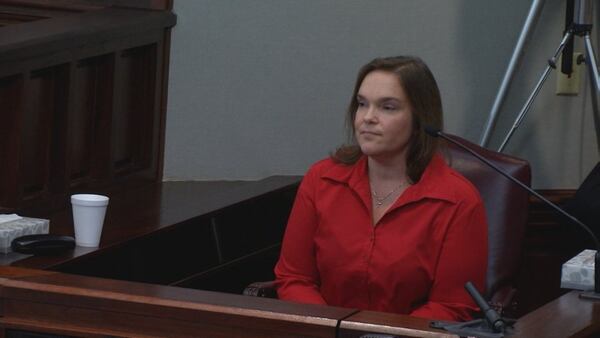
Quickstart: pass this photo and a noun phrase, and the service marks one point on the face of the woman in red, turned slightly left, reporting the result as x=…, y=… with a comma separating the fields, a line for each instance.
x=383, y=123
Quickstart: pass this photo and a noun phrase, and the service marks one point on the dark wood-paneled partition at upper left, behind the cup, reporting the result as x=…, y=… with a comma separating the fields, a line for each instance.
x=83, y=105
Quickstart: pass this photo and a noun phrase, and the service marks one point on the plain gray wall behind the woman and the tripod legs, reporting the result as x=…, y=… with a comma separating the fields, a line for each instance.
x=259, y=87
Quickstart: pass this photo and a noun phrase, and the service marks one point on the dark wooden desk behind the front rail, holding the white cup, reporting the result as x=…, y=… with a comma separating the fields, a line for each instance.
x=218, y=236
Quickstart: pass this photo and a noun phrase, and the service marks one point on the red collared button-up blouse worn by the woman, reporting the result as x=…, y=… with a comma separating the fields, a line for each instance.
x=415, y=260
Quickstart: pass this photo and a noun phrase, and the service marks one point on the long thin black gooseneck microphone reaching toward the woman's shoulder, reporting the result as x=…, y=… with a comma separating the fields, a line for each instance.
x=596, y=295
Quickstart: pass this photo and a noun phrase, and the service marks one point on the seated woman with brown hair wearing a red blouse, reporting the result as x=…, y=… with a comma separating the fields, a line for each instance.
x=384, y=224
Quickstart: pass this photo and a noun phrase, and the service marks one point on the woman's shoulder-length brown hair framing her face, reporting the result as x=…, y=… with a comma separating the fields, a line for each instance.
x=422, y=91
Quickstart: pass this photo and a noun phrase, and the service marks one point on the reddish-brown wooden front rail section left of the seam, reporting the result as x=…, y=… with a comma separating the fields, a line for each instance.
x=56, y=303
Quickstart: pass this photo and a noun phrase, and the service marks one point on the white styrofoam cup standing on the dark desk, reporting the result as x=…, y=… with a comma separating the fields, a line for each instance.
x=88, y=218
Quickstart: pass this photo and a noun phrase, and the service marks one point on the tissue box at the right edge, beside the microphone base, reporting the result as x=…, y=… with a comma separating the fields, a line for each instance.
x=578, y=272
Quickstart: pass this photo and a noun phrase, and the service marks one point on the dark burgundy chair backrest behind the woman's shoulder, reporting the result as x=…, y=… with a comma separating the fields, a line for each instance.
x=506, y=206
